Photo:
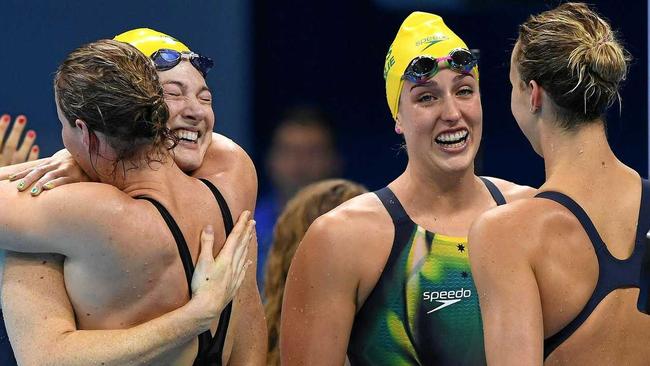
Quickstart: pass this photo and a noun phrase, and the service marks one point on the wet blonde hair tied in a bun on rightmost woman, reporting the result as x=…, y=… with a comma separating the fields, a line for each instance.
x=575, y=56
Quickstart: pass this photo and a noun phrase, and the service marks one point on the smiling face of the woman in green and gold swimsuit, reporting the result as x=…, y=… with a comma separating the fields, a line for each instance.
x=442, y=121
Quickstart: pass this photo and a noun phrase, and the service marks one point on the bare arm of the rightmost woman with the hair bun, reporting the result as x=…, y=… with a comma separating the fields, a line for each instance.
x=511, y=308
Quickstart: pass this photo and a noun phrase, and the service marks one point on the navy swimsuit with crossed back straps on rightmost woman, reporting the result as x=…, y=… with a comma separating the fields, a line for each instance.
x=613, y=273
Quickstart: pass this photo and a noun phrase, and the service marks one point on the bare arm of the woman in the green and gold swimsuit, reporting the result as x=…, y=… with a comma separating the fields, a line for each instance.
x=320, y=297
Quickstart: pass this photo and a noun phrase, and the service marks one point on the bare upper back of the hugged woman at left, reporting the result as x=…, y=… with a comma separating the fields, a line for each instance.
x=124, y=267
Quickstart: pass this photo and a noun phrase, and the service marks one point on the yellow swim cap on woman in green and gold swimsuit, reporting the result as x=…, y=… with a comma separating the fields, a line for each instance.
x=421, y=34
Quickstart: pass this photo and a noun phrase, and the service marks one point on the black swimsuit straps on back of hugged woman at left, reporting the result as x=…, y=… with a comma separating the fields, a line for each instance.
x=210, y=348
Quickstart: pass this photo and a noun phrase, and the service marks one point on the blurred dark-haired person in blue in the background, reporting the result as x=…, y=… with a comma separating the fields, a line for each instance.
x=303, y=151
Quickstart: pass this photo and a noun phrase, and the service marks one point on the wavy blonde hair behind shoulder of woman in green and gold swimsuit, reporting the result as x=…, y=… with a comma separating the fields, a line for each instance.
x=306, y=206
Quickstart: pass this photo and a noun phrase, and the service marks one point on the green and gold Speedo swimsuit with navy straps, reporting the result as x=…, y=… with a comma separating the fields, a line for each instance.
x=424, y=309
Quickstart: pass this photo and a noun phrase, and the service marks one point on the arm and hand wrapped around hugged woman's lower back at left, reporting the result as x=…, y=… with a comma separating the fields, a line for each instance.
x=41, y=322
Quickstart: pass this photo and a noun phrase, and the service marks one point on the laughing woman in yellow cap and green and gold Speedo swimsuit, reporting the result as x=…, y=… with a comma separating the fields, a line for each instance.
x=385, y=278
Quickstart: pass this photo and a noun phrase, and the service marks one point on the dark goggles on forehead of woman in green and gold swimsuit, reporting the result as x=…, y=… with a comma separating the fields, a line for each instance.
x=422, y=68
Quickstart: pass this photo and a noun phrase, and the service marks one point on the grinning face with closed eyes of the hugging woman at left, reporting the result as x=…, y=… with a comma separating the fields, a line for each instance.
x=191, y=117
